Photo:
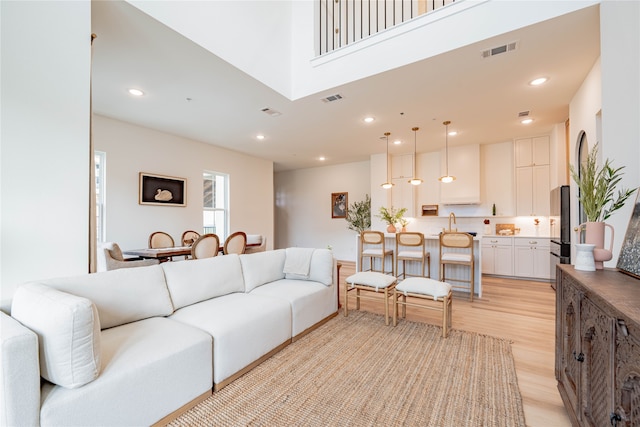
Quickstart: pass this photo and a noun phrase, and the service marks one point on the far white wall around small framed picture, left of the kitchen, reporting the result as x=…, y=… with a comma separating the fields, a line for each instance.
x=303, y=207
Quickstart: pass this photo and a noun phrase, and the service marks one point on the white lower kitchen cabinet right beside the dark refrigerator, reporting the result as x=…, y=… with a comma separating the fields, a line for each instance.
x=531, y=257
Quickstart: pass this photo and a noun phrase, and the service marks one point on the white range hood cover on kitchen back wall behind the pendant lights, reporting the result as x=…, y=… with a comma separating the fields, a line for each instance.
x=464, y=164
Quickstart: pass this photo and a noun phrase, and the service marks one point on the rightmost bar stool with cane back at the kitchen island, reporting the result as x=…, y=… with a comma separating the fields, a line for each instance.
x=456, y=249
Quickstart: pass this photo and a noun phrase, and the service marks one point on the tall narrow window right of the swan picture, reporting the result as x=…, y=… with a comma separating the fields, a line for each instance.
x=215, y=203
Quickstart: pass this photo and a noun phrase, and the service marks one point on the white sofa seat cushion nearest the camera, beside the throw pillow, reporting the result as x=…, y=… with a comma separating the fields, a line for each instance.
x=150, y=368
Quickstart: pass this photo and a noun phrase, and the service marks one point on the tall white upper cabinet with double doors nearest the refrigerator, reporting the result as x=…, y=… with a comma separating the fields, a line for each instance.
x=532, y=176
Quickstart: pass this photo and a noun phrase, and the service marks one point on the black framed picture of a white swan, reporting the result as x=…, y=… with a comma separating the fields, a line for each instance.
x=162, y=190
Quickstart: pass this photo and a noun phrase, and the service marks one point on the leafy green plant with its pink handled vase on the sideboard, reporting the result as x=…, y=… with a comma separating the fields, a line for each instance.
x=599, y=200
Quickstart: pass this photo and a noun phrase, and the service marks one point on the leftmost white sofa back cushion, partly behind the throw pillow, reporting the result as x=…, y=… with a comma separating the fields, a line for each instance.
x=121, y=296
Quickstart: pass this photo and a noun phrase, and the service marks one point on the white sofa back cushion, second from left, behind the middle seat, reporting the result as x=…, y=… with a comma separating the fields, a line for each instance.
x=197, y=280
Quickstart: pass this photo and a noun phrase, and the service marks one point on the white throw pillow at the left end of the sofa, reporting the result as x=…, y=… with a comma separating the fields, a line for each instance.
x=68, y=330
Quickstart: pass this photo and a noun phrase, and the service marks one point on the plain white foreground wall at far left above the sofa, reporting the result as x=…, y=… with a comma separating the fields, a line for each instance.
x=46, y=55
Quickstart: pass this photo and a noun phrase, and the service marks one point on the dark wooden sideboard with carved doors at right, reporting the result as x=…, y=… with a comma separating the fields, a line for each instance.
x=598, y=346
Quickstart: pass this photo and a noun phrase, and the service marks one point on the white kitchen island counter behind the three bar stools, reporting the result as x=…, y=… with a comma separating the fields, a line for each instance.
x=432, y=245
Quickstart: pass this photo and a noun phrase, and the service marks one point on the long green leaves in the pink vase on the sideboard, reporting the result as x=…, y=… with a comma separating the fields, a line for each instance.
x=597, y=188
